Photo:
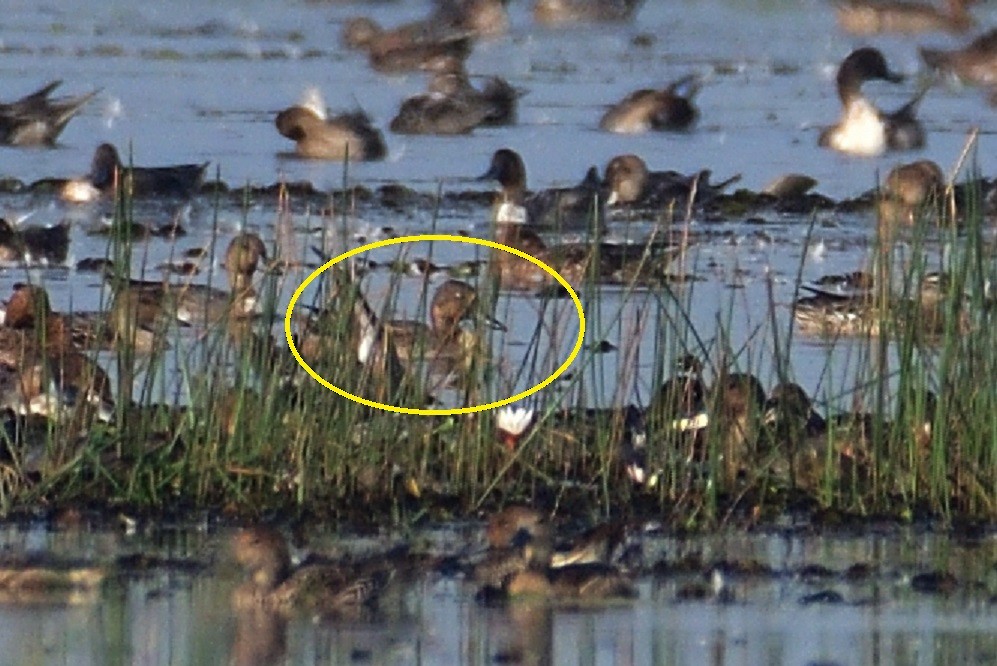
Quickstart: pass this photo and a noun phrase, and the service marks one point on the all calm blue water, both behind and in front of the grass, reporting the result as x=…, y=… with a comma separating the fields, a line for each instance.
x=190, y=82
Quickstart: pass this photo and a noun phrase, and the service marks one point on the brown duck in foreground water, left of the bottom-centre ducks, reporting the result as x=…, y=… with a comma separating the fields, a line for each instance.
x=320, y=588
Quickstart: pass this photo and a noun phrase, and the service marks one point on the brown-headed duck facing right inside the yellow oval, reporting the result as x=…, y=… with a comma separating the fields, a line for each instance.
x=442, y=341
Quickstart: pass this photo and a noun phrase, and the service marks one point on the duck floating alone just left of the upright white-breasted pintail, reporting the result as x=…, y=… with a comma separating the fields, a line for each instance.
x=651, y=109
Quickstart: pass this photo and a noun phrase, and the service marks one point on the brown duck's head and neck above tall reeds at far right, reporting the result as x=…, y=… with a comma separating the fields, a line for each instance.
x=909, y=189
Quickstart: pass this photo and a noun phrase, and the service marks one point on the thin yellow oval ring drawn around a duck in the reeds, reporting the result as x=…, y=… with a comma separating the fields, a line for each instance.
x=435, y=412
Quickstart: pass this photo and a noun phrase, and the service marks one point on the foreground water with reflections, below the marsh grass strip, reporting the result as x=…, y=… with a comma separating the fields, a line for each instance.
x=183, y=616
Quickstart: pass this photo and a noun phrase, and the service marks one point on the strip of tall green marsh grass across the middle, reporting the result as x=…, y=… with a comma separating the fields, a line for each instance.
x=224, y=418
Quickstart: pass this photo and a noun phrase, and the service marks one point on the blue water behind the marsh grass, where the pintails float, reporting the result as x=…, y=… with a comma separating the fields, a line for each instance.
x=190, y=83
